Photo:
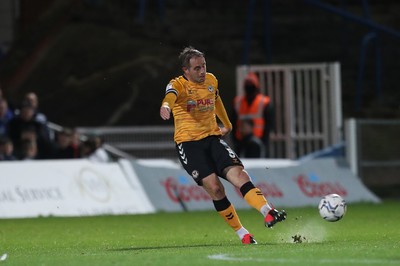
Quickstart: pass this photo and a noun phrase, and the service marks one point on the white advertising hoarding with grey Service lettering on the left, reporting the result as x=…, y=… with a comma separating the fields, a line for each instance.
x=68, y=188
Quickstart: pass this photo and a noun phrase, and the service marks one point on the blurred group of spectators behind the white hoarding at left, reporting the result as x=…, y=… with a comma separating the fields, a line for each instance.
x=25, y=135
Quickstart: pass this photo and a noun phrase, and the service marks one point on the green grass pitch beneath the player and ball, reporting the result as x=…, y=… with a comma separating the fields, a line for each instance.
x=368, y=235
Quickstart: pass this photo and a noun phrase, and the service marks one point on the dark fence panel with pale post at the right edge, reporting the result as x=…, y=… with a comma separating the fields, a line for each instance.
x=373, y=150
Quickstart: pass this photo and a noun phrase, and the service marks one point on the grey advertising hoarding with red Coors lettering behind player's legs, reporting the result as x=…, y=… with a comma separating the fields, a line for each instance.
x=285, y=184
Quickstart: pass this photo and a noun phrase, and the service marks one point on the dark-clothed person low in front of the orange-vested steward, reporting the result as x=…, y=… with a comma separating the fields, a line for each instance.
x=250, y=146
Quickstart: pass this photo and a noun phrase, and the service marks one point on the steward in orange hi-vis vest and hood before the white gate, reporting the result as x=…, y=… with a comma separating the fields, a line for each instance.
x=257, y=107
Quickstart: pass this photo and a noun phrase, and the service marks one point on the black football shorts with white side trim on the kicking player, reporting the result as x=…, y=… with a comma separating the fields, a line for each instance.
x=206, y=156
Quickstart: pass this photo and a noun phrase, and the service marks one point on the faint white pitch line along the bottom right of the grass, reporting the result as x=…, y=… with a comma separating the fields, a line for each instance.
x=227, y=257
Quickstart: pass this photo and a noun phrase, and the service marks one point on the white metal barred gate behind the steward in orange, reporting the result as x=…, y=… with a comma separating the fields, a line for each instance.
x=307, y=106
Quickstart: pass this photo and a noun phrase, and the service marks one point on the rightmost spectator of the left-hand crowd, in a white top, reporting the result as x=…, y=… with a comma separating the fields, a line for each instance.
x=92, y=149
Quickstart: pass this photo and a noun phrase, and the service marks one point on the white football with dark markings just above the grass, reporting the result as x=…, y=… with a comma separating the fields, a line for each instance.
x=332, y=207
